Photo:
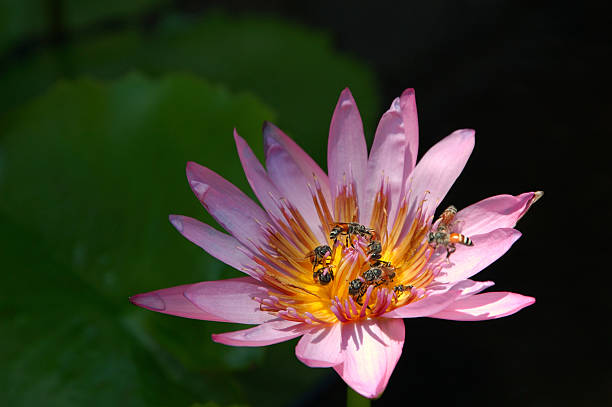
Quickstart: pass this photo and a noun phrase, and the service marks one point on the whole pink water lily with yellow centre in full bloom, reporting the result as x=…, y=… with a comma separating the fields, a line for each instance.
x=359, y=335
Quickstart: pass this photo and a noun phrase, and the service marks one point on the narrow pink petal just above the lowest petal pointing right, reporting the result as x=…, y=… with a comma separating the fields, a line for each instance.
x=436, y=301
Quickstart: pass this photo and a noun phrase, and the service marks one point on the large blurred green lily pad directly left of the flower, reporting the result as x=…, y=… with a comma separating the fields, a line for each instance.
x=89, y=173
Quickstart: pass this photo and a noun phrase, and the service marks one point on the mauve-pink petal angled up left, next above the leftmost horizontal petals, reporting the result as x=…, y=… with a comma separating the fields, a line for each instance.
x=220, y=245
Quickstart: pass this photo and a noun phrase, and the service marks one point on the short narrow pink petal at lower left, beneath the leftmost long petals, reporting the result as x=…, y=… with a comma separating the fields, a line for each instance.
x=269, y=333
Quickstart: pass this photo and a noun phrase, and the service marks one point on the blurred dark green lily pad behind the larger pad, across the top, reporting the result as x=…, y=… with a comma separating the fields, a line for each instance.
x=287, y=66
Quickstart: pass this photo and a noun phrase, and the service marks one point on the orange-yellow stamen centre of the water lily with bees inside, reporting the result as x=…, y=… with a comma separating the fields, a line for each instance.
x=358, y=272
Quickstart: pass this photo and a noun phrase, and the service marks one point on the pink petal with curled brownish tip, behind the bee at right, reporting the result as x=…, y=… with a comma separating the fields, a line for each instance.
x=501, y=211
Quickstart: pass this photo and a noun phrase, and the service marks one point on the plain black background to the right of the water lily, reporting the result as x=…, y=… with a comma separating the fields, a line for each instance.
x=532, y=80
